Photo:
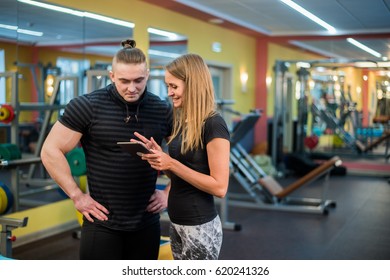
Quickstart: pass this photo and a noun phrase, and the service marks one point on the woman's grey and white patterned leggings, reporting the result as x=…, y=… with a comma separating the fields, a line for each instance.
x=200, y=242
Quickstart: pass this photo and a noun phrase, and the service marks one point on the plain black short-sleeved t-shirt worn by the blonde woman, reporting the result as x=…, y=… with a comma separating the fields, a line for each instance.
x=188, y=205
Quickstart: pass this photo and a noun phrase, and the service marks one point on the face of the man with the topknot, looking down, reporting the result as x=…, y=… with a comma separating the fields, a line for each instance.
x=130, y=80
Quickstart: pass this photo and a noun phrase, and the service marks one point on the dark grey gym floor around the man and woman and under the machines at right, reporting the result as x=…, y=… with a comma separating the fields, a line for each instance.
x=357, y=229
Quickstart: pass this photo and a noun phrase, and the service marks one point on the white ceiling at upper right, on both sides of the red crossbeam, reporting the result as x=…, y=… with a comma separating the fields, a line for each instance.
x=367, y=21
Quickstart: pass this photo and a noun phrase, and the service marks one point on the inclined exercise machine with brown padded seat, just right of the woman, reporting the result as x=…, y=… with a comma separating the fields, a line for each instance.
x=263, y=191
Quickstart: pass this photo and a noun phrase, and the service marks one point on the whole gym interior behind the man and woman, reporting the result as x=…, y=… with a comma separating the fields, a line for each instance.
x=310, y=127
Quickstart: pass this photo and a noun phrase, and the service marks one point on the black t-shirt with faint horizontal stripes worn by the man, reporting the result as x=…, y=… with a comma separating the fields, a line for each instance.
x=119, y=181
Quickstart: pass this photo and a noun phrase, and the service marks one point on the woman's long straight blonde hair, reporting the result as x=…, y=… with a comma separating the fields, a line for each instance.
x=198, y=102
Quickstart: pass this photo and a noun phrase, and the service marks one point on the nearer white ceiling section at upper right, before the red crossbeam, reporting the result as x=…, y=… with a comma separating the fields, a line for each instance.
x=273, y=17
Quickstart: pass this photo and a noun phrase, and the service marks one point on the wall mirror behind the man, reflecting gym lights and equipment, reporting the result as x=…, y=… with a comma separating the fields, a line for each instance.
x=47, y=57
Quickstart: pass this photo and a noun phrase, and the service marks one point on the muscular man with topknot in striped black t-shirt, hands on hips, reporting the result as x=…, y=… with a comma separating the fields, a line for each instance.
x=121, y=209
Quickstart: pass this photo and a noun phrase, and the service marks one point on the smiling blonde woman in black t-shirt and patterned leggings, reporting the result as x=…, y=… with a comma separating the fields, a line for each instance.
x=198, y=160
